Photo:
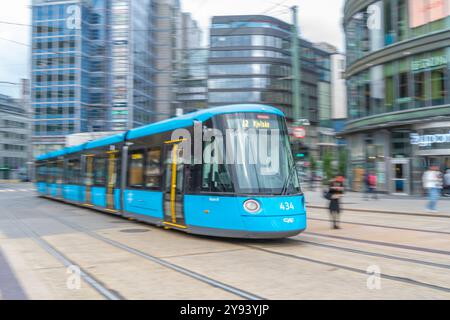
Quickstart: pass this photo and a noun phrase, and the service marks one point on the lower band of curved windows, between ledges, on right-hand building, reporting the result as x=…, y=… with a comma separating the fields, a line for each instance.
x=414, y=82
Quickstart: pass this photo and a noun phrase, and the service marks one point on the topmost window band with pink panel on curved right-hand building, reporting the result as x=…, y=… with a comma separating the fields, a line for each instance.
x=388, y=22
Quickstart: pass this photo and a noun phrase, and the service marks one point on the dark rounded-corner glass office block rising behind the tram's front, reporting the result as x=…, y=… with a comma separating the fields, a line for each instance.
x=250, y=61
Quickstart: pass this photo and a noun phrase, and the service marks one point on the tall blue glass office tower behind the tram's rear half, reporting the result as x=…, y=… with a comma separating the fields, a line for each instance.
x=91, y=68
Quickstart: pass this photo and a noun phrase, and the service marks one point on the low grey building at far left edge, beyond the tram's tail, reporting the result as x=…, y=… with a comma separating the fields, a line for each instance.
x=14, y=135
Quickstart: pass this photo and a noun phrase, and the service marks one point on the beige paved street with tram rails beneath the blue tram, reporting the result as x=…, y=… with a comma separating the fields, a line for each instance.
x=51, y=250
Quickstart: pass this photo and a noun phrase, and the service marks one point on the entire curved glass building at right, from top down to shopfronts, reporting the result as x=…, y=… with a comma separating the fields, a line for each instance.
x=398, y=54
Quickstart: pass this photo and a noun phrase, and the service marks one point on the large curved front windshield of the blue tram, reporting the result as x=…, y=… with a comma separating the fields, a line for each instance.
x=257, y=157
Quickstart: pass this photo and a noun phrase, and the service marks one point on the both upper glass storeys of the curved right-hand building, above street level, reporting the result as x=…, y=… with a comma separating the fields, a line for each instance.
x=411, y=78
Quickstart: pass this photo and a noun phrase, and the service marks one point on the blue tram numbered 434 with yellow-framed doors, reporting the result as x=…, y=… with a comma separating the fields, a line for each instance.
x=144, y=174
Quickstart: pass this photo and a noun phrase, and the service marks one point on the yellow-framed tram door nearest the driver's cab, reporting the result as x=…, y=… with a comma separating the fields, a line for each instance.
x=173, y=185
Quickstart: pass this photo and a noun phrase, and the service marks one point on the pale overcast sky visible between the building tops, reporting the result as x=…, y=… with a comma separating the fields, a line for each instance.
x=320, y=20
